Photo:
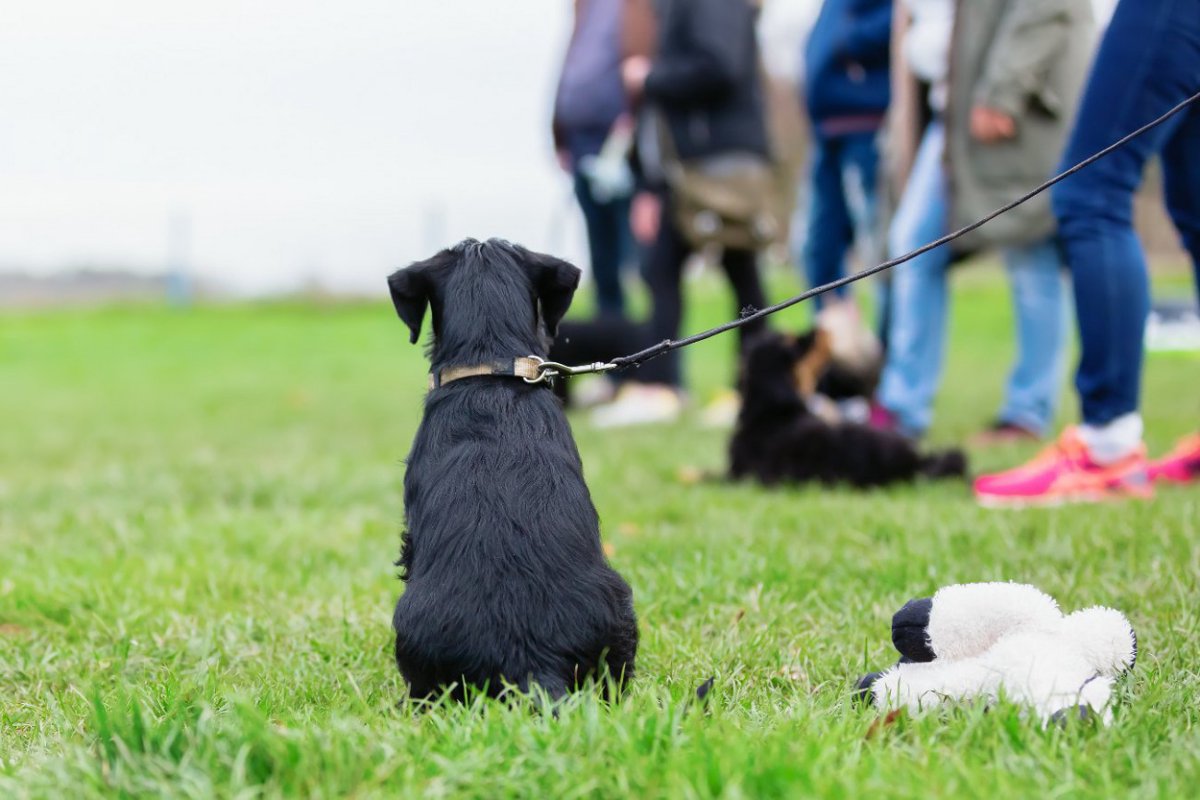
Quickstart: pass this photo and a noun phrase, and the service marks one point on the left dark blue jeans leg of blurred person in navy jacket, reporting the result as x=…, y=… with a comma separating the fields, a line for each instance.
x=831, y=230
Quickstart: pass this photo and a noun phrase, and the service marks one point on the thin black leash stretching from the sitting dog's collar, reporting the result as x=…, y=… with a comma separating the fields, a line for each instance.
x=551, y=370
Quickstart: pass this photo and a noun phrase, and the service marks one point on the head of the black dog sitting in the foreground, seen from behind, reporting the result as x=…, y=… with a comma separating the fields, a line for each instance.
x=490, y=300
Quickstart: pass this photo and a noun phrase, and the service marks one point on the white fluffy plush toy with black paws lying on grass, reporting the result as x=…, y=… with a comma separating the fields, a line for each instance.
x=987, y=641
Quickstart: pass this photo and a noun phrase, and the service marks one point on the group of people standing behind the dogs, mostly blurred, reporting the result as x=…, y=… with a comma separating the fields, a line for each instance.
x=925, y=116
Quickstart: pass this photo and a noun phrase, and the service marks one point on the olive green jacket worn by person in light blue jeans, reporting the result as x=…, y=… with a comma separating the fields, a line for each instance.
x=1030, y=59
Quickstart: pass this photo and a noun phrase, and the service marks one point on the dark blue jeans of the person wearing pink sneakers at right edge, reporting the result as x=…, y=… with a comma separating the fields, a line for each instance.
x=1132, y=83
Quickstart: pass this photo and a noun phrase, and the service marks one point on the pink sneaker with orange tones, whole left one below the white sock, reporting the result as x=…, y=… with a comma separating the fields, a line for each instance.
x=1066, y=473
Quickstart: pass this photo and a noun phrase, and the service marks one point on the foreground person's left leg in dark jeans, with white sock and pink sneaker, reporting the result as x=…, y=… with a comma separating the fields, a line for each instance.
x=1130, y=86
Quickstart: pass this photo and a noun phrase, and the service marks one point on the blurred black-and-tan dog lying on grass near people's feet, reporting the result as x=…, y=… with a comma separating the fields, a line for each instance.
x=779, y=441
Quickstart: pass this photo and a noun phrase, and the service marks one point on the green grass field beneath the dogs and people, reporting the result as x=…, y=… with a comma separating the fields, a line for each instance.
x=200, y=510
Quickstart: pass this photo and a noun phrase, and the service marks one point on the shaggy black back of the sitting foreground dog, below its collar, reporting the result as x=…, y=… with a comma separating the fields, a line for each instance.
x=507, y=579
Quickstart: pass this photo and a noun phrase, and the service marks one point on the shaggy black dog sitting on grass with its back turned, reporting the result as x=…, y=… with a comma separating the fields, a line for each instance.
x=507, y=582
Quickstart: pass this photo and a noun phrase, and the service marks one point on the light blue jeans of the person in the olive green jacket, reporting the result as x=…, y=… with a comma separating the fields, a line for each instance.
x=917, y=335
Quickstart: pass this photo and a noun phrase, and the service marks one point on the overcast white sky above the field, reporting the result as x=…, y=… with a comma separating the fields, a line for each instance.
x=301, y=140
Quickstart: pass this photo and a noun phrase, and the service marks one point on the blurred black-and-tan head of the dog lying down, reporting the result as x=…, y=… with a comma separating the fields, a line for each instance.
x=782, y=370
